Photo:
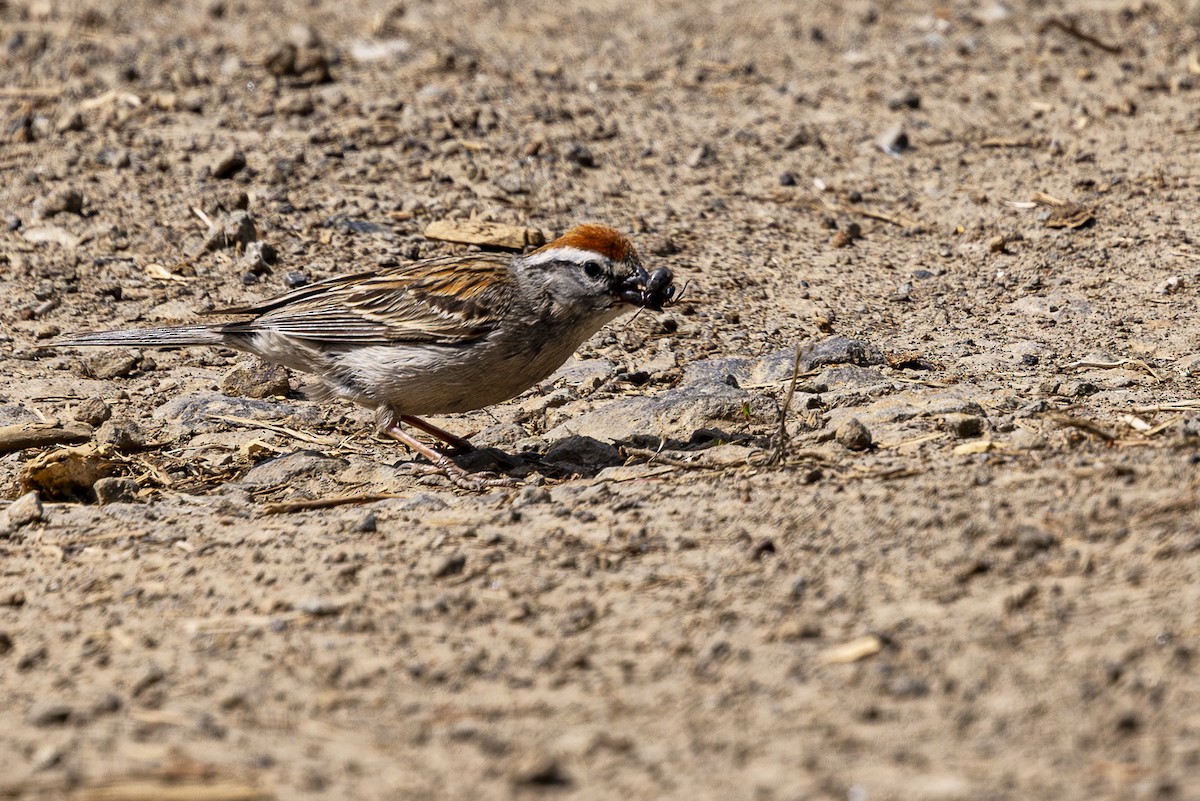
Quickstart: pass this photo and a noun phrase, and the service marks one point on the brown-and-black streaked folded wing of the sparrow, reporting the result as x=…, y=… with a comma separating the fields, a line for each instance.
x=447, y=302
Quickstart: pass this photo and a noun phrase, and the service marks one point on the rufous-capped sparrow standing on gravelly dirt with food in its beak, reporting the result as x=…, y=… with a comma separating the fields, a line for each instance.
x=439, y=336
